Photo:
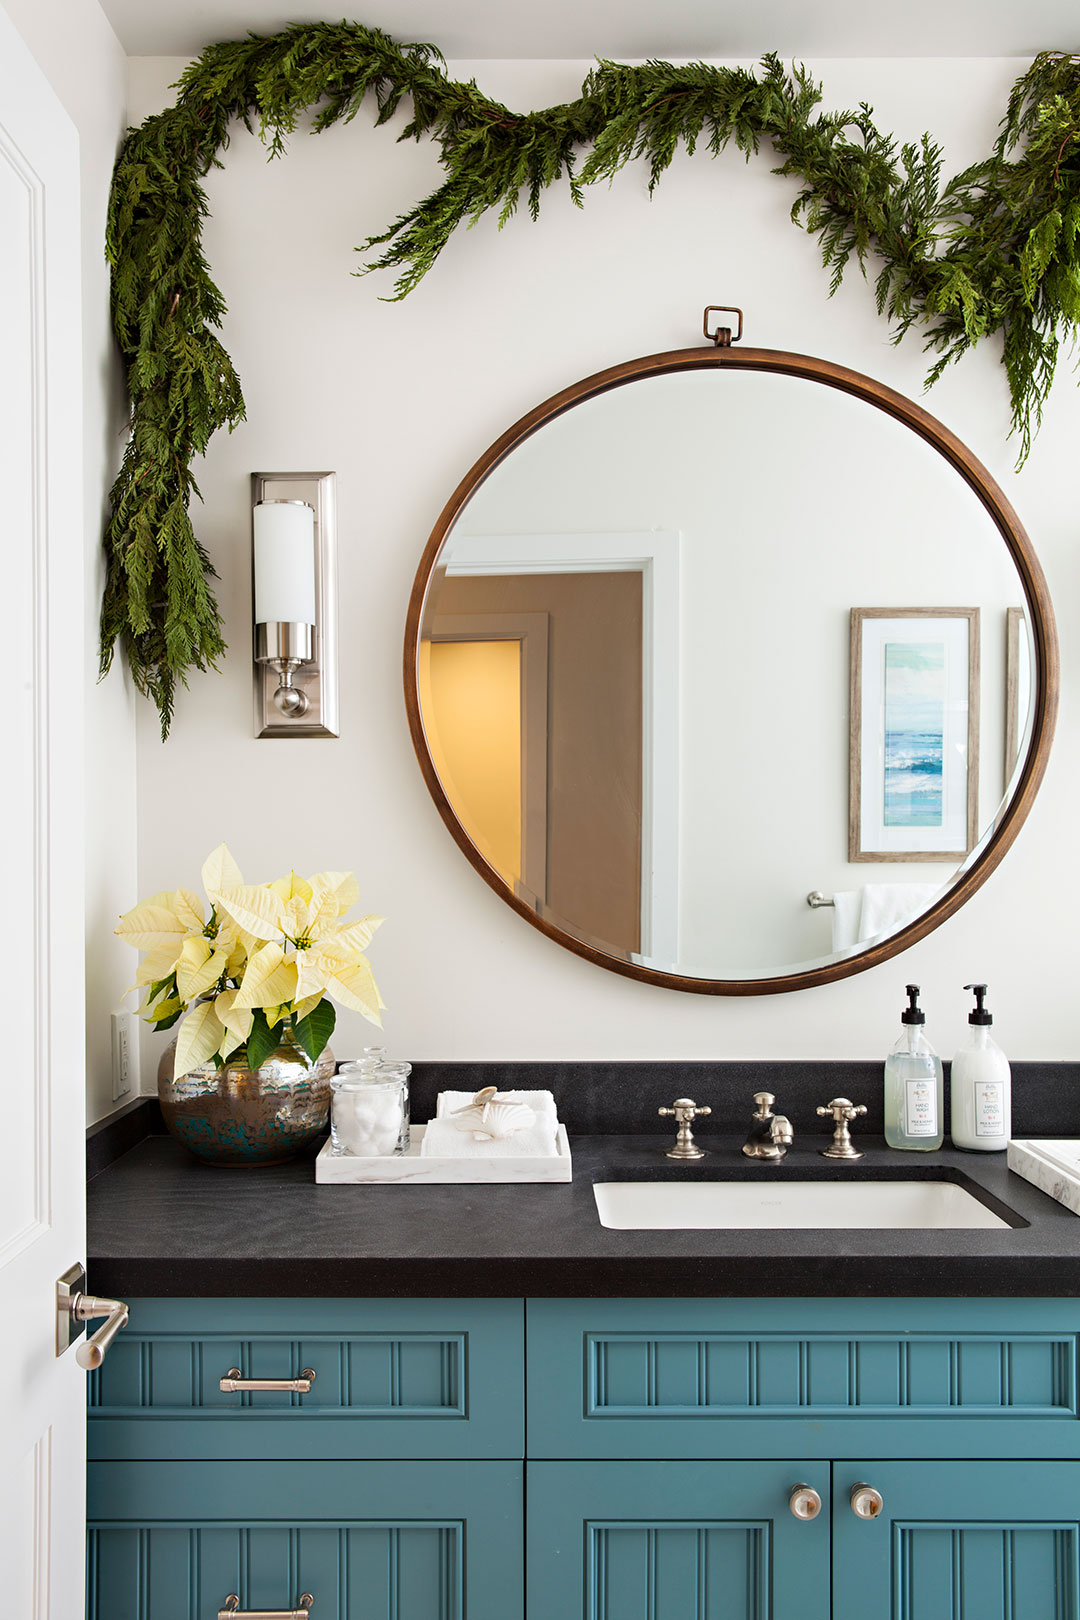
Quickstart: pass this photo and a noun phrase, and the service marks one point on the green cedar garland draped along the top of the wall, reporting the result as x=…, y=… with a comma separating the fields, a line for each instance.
x=992, y=254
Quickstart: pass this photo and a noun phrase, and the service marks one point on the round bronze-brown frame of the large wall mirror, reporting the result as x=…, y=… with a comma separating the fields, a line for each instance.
x=961, y=459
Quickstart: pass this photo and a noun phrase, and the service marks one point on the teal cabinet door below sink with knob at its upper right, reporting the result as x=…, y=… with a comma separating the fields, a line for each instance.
x=676, y=1541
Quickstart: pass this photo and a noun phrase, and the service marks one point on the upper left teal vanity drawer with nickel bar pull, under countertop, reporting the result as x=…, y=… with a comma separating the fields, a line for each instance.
x=393, y=1379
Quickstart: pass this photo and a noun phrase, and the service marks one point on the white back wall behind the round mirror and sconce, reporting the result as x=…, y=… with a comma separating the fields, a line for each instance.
x=401, y=399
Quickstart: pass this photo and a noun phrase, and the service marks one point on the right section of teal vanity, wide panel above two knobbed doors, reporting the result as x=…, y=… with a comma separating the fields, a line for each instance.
x=959, y=1415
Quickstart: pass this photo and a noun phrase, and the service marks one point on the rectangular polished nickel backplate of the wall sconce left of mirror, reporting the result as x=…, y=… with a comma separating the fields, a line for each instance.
x=317, y=676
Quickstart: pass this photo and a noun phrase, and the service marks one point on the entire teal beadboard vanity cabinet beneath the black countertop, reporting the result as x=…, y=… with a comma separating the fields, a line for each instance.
x=647, y=1462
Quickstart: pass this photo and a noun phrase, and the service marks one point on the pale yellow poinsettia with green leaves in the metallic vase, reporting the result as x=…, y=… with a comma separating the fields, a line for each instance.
x=255, y=966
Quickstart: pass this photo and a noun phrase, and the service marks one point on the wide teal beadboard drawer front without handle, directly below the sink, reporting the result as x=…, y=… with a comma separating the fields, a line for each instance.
x=846, y=1378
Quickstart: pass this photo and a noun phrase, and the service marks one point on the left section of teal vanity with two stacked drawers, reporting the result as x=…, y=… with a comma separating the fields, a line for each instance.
x=391, y=1490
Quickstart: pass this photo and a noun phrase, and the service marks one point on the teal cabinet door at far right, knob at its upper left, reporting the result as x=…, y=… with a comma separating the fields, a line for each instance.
x=959, y=1541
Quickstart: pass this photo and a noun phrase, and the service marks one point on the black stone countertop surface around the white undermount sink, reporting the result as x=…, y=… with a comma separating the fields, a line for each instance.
x=163, y=1224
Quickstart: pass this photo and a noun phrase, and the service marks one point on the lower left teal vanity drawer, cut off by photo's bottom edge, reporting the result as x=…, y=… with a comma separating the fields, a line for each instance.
x=368, y=1541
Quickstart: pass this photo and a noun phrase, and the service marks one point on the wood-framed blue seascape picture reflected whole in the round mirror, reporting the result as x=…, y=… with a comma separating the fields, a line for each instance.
x=914, y=754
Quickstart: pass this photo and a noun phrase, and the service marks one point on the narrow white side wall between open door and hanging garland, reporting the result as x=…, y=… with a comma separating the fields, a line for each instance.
x=85, y=64
